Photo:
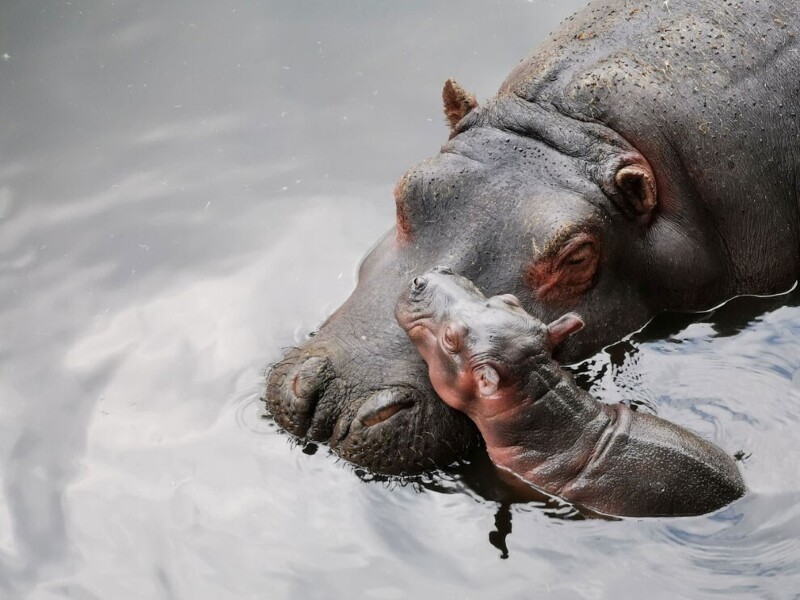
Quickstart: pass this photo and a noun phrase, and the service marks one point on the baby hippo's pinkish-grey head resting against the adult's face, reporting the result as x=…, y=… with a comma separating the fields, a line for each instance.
x=477, y=348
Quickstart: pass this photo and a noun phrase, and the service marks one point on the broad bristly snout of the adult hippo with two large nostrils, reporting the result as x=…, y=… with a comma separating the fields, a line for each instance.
x=316, y=393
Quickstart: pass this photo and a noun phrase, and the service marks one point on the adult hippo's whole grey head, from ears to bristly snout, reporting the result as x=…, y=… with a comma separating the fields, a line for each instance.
x=522, y=199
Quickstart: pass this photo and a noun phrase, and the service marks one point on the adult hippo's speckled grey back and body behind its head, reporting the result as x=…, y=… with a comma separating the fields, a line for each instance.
x=709, y=93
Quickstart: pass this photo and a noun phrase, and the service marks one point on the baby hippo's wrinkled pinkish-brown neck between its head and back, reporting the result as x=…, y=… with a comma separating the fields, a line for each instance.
x=552, y=430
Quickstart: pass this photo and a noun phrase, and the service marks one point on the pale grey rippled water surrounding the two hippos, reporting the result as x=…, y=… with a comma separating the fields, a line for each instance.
x=186, y=188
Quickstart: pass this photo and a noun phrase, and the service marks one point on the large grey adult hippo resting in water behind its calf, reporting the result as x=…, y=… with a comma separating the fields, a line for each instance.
x=644, y=158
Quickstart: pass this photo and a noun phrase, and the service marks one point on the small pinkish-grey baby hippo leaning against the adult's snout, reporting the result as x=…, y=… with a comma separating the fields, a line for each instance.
x=491, y=360
